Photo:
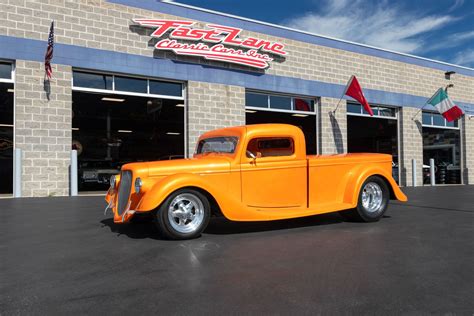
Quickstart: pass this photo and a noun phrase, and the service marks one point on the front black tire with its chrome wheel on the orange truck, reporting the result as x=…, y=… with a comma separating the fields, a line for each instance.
x=174, y=226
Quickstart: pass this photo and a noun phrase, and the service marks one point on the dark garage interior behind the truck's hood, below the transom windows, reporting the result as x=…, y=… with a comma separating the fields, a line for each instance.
x=111, y=130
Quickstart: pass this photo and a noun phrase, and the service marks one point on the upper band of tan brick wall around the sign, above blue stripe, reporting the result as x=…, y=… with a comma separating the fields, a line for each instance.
x=104, y=25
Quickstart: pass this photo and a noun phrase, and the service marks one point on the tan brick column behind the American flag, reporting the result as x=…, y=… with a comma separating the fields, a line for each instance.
x=43, y=128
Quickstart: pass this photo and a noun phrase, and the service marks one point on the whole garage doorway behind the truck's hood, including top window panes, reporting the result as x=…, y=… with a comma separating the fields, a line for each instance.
x=119, y=119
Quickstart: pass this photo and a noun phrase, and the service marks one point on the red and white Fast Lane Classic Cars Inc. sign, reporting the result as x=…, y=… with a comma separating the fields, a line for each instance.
x=215, y=42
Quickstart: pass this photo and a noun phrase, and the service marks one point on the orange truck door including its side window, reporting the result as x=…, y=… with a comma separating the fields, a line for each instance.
x=271, y=175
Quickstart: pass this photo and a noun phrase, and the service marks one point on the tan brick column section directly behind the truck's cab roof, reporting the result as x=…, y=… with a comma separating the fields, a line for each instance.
x=212, y=106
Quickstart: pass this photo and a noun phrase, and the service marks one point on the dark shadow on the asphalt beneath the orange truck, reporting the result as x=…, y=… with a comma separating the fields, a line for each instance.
x=144, y=228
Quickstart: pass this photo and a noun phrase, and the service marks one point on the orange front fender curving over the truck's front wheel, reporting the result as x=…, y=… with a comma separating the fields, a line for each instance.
x=154, y=196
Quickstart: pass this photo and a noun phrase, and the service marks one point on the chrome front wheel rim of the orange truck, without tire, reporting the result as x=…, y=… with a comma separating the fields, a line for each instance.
x=186, y=213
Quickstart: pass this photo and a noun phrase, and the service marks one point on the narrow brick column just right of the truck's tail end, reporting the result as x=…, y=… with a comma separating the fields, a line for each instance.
x=411, y=145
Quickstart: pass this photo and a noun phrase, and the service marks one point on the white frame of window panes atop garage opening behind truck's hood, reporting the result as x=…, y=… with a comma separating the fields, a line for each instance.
x=120, y=92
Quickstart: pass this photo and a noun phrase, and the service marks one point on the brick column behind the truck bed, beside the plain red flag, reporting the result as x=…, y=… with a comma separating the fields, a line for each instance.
x=333, y=128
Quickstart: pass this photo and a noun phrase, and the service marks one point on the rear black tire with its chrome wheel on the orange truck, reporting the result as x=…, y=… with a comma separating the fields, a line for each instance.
x=364, y=213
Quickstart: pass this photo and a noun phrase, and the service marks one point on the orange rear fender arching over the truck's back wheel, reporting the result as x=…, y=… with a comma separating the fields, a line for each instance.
x=358, y=177
